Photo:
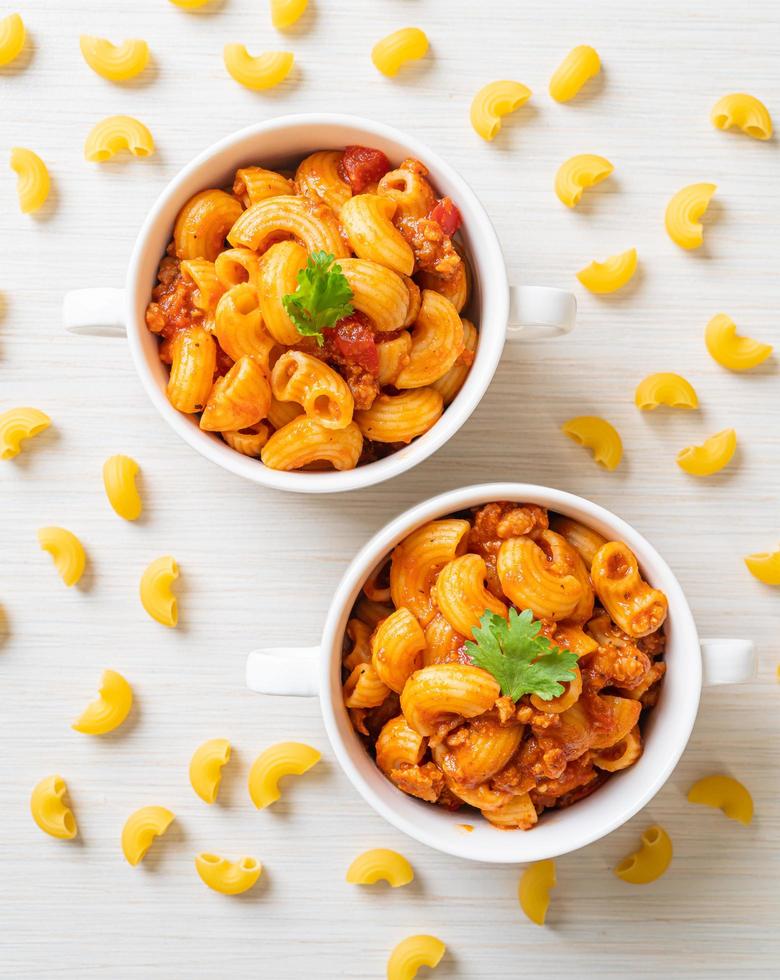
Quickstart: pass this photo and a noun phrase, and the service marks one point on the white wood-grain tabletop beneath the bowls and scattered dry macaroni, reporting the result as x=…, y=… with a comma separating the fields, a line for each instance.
x=260, y=567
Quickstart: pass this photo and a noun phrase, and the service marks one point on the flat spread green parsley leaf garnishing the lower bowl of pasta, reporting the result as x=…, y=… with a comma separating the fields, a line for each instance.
x=520, y=659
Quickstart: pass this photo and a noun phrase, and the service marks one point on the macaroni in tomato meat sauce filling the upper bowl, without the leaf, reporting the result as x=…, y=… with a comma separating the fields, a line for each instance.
x=384, y=372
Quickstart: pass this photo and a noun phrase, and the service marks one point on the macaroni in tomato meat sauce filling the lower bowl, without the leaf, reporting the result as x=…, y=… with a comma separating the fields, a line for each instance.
x=444, y=730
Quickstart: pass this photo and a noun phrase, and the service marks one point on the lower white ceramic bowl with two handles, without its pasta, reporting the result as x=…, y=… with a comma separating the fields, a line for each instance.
x=317, y=671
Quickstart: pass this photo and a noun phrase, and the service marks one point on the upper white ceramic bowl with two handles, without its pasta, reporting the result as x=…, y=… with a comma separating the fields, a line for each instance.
x=283, y=142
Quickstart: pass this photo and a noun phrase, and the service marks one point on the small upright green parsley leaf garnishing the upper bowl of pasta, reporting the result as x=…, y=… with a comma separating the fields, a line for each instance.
x=323, y=297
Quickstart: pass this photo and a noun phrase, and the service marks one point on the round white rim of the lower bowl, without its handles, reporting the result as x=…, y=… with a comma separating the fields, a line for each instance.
x=381, y=544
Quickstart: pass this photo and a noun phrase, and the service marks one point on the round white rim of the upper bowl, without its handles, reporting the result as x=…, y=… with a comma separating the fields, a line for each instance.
x=454, y=416
